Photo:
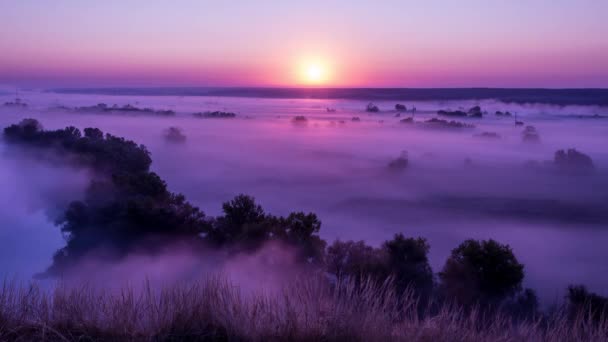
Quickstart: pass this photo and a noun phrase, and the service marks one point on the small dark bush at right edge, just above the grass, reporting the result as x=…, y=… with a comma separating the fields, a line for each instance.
x=581, y=301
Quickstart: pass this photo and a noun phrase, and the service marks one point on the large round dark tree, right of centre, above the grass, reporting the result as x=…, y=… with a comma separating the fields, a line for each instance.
x=481, y=272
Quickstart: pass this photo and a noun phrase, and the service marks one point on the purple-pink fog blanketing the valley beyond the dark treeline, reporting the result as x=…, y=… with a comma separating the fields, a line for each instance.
x=456, y=185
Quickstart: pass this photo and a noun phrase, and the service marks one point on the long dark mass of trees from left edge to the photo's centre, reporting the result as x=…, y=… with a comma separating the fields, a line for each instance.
x=127, y=206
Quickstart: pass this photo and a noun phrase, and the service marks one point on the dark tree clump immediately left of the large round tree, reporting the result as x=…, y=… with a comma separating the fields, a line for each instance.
x=403, y=259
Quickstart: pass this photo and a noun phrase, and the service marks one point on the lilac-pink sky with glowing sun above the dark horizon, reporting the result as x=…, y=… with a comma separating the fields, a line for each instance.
x=431, y=43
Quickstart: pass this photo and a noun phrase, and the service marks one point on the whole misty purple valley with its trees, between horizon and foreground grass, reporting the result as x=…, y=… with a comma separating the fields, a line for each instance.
x=473, y=202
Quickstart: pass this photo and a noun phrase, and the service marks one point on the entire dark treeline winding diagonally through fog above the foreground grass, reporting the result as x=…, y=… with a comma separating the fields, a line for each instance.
x=127, y=207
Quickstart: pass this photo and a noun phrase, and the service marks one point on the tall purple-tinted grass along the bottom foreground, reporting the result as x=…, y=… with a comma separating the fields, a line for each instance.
x=215, y=309
